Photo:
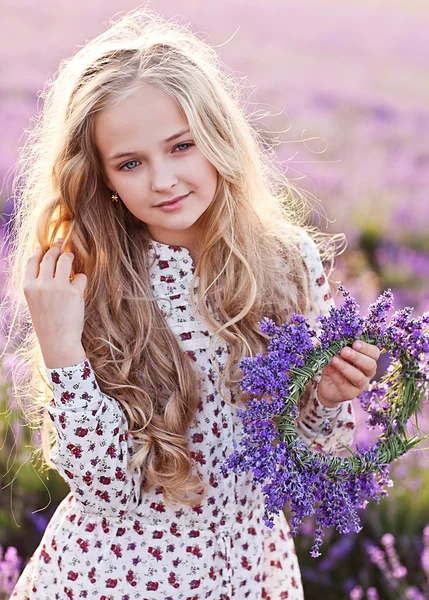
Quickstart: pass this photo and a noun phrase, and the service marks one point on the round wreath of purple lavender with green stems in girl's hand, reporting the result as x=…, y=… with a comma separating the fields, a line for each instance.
x=327, y=485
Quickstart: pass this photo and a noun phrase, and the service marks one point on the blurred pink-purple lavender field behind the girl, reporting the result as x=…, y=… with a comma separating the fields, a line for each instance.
x=345, y=88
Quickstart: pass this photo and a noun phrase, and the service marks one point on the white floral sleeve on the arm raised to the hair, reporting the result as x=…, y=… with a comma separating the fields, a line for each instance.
x=92, y=447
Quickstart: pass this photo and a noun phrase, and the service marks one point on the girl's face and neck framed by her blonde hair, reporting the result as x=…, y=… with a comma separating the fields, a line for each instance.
x=154, y=171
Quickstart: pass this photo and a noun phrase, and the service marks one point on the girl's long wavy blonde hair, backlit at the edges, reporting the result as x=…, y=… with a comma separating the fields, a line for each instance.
x=60, y=191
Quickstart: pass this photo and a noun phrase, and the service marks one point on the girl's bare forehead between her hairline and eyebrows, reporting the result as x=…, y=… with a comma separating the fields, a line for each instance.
x=146, y=118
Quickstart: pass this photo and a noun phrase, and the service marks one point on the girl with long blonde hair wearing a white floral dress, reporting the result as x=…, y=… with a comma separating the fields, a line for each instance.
x=175, y=243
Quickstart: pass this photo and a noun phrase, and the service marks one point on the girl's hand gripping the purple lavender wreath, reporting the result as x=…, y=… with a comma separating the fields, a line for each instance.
x=348, y=374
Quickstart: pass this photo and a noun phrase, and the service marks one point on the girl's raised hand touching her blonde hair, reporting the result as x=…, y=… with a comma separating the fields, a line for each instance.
x=56, y=305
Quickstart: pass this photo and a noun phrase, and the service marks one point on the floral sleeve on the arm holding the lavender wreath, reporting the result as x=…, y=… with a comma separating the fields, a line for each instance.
x=324, y=428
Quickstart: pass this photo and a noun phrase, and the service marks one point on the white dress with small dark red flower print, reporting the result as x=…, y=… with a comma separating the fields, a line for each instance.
x=109, y=541
